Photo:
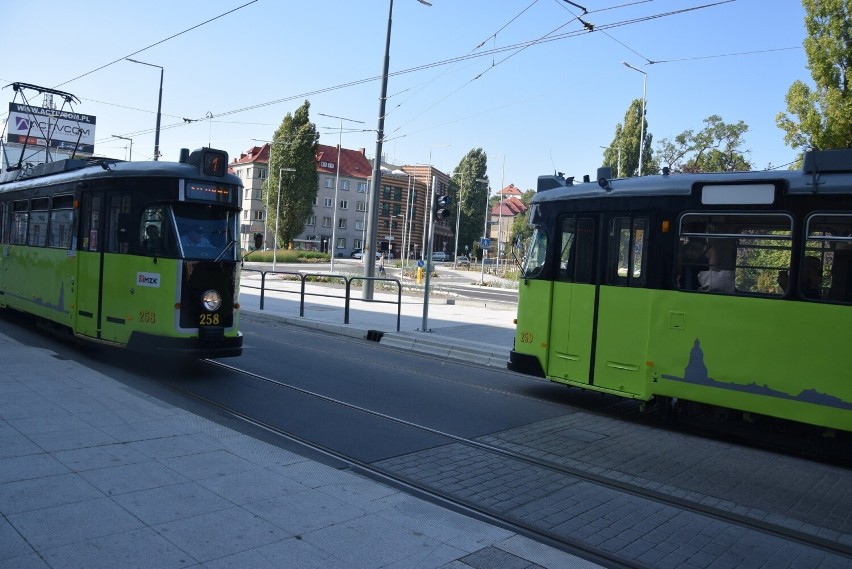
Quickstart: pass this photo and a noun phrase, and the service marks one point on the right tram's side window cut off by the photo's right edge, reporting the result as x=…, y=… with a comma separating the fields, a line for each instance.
x=827, y=265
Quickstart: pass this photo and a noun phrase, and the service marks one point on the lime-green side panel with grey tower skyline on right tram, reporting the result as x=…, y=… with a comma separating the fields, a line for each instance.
x=782, y=359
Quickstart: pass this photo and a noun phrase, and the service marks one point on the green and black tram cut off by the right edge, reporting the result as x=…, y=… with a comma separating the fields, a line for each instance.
x=726, y=294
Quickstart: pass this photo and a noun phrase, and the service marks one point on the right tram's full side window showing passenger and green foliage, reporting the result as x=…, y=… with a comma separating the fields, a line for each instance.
x=735, y=253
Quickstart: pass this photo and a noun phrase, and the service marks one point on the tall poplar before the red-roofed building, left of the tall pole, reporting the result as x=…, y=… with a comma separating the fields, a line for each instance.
x=294, y=146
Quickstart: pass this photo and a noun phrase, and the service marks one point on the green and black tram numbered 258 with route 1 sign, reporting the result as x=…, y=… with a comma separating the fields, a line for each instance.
x=142, y=255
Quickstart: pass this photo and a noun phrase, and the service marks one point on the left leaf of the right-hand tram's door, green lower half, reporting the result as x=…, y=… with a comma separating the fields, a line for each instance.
x=573, y=308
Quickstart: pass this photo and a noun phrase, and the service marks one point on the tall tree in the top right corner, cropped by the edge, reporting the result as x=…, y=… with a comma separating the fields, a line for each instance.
x=822, y=118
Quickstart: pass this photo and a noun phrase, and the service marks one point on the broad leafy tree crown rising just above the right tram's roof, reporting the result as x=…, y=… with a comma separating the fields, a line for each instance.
x=715, y=148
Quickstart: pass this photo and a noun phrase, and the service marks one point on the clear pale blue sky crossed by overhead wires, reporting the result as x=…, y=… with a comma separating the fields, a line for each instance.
x=460, y=76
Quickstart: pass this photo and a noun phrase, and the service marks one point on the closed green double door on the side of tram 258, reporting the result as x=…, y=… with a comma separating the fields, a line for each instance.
x=104, y=284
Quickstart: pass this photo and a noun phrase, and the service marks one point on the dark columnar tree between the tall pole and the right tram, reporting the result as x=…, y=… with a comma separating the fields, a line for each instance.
x=471, y=196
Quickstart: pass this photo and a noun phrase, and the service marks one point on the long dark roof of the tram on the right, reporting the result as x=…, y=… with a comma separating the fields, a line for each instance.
x=825, y=172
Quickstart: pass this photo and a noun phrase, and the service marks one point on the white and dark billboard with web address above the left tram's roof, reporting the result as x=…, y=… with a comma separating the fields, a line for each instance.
x=50, y=127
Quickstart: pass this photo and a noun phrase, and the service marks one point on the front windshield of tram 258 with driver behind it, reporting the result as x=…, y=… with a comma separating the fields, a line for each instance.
x=206, y=232
